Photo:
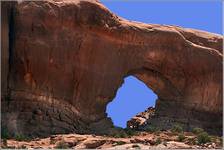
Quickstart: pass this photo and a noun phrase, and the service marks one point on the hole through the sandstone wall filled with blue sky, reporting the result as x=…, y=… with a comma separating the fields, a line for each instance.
x=133, y=97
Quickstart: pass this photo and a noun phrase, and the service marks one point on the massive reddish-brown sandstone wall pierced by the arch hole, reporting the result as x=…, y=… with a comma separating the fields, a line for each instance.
x=70, y=57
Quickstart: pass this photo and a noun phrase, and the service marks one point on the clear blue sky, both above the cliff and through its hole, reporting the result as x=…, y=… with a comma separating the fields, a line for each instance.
x=134, y=96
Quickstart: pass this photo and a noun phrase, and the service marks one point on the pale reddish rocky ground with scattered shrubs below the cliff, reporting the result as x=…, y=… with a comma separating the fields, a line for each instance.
x=139, y=140
